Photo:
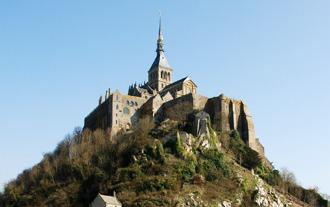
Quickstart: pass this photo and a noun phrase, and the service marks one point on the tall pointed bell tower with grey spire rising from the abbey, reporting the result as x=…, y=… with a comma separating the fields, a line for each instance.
x=160, y=72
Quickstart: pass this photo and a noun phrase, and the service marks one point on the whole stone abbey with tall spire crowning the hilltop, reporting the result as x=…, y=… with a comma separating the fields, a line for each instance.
x=161, y=98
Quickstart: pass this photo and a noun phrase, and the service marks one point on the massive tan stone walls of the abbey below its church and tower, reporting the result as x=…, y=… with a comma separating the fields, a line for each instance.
x=123, y=111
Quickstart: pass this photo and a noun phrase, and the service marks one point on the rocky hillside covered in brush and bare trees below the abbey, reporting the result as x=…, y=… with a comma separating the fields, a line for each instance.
x=164, y=165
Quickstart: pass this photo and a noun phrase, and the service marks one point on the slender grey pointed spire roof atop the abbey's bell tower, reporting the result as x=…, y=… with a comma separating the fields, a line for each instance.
x=160, y=60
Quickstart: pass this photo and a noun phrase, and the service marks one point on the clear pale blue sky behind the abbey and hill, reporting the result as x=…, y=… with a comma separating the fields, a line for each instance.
x=58, y=57
